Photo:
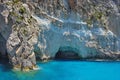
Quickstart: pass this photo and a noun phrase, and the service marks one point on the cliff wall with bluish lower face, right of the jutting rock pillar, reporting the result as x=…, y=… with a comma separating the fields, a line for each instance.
x=82, y=25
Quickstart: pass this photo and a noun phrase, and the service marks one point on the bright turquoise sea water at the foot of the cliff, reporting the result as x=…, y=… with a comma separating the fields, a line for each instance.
x=66, y=70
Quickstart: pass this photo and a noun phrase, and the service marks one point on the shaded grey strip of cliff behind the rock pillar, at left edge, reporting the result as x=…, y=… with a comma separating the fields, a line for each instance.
x=5, y=29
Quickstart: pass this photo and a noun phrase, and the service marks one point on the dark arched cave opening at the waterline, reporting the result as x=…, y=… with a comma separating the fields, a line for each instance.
x=67, y=54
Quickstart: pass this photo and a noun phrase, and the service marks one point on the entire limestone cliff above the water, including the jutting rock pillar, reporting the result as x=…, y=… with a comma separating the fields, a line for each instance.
x=31, y=29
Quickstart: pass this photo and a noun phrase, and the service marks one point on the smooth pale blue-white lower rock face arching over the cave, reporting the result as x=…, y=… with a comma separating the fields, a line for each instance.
x=75, y=36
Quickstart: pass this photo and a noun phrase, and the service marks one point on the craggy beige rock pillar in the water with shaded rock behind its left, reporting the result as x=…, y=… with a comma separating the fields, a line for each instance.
x=18, y=35
